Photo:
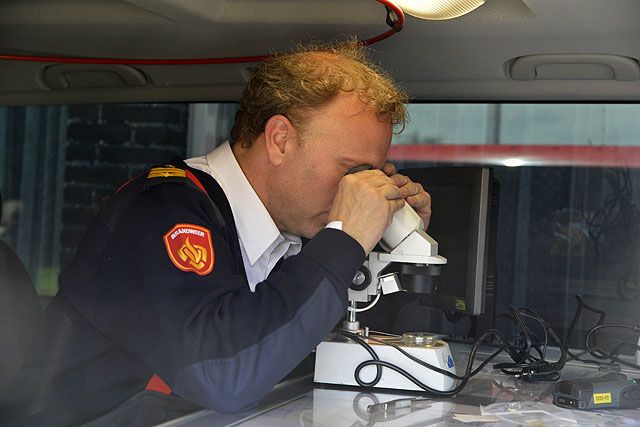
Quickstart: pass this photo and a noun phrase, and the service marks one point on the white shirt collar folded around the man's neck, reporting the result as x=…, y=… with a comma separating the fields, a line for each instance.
x=256, y=229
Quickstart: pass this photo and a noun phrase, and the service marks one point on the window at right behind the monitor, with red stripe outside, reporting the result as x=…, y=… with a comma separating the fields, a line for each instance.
x=569, y=212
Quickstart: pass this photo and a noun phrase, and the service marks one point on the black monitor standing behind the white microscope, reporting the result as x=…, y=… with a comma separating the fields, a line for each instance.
x=464, y=219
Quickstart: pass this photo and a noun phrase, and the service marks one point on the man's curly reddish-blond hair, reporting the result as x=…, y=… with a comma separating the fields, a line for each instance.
x=294, y=84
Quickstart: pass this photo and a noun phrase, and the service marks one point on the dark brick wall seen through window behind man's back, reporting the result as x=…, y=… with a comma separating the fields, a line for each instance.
x=108, y=145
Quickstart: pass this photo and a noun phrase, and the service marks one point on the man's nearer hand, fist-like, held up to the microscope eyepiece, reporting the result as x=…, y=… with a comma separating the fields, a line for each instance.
x=365, y=203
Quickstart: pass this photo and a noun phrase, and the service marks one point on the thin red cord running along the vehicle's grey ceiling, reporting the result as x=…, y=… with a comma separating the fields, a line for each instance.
x=389, y=4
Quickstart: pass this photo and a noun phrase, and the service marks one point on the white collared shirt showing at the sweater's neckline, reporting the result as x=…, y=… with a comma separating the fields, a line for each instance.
x=261, y=243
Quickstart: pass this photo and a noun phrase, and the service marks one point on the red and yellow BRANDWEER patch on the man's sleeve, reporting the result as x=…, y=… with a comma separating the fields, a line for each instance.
x=190, y=248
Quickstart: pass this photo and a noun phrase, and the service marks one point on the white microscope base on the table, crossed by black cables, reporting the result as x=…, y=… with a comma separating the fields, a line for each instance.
x=337, y=359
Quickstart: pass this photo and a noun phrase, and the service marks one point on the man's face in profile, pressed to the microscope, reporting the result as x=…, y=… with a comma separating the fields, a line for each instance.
x=335, y=139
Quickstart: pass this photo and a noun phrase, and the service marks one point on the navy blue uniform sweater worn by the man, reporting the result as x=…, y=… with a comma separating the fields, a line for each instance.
x=126, y=311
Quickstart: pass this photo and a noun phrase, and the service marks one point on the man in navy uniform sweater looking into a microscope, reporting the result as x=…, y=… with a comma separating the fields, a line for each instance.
x=174, y=296
